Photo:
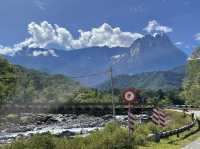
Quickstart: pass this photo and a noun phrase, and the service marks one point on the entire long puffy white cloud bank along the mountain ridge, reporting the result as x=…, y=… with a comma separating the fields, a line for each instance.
x=44, y=34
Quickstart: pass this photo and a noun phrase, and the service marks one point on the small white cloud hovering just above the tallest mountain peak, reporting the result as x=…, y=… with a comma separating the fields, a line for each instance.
x=153, y=26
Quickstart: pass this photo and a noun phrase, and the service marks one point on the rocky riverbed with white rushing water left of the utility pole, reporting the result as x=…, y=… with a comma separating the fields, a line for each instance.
x=15, y=126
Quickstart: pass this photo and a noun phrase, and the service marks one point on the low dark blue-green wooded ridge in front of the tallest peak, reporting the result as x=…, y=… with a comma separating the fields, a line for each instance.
x=165, y=80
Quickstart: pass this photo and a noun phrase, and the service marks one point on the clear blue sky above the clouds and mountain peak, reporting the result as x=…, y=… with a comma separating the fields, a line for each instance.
x=181, y=16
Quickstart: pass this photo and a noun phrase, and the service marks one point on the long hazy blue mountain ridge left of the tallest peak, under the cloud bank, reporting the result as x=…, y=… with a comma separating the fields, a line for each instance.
x=71, y=63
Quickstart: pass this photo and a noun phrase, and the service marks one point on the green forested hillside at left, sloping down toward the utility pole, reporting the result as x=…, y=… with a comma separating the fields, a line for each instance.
x=21, y=85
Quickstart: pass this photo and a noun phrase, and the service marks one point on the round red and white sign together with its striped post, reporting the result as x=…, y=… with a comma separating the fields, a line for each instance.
x=129, y=96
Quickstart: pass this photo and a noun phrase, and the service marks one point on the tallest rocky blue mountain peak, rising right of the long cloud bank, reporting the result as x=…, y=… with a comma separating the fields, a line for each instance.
x=152, y=53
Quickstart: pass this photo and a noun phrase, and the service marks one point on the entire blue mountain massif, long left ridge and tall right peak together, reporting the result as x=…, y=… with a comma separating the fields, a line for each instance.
x=150, y=53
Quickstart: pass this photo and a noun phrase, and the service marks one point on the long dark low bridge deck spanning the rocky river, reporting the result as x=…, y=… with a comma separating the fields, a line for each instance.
x=70, y=108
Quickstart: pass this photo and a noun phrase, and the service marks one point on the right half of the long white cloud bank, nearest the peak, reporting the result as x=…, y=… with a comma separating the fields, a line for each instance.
x=105, y=35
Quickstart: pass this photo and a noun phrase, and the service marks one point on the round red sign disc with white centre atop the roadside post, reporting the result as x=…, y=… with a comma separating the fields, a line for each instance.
x=129, y=95
